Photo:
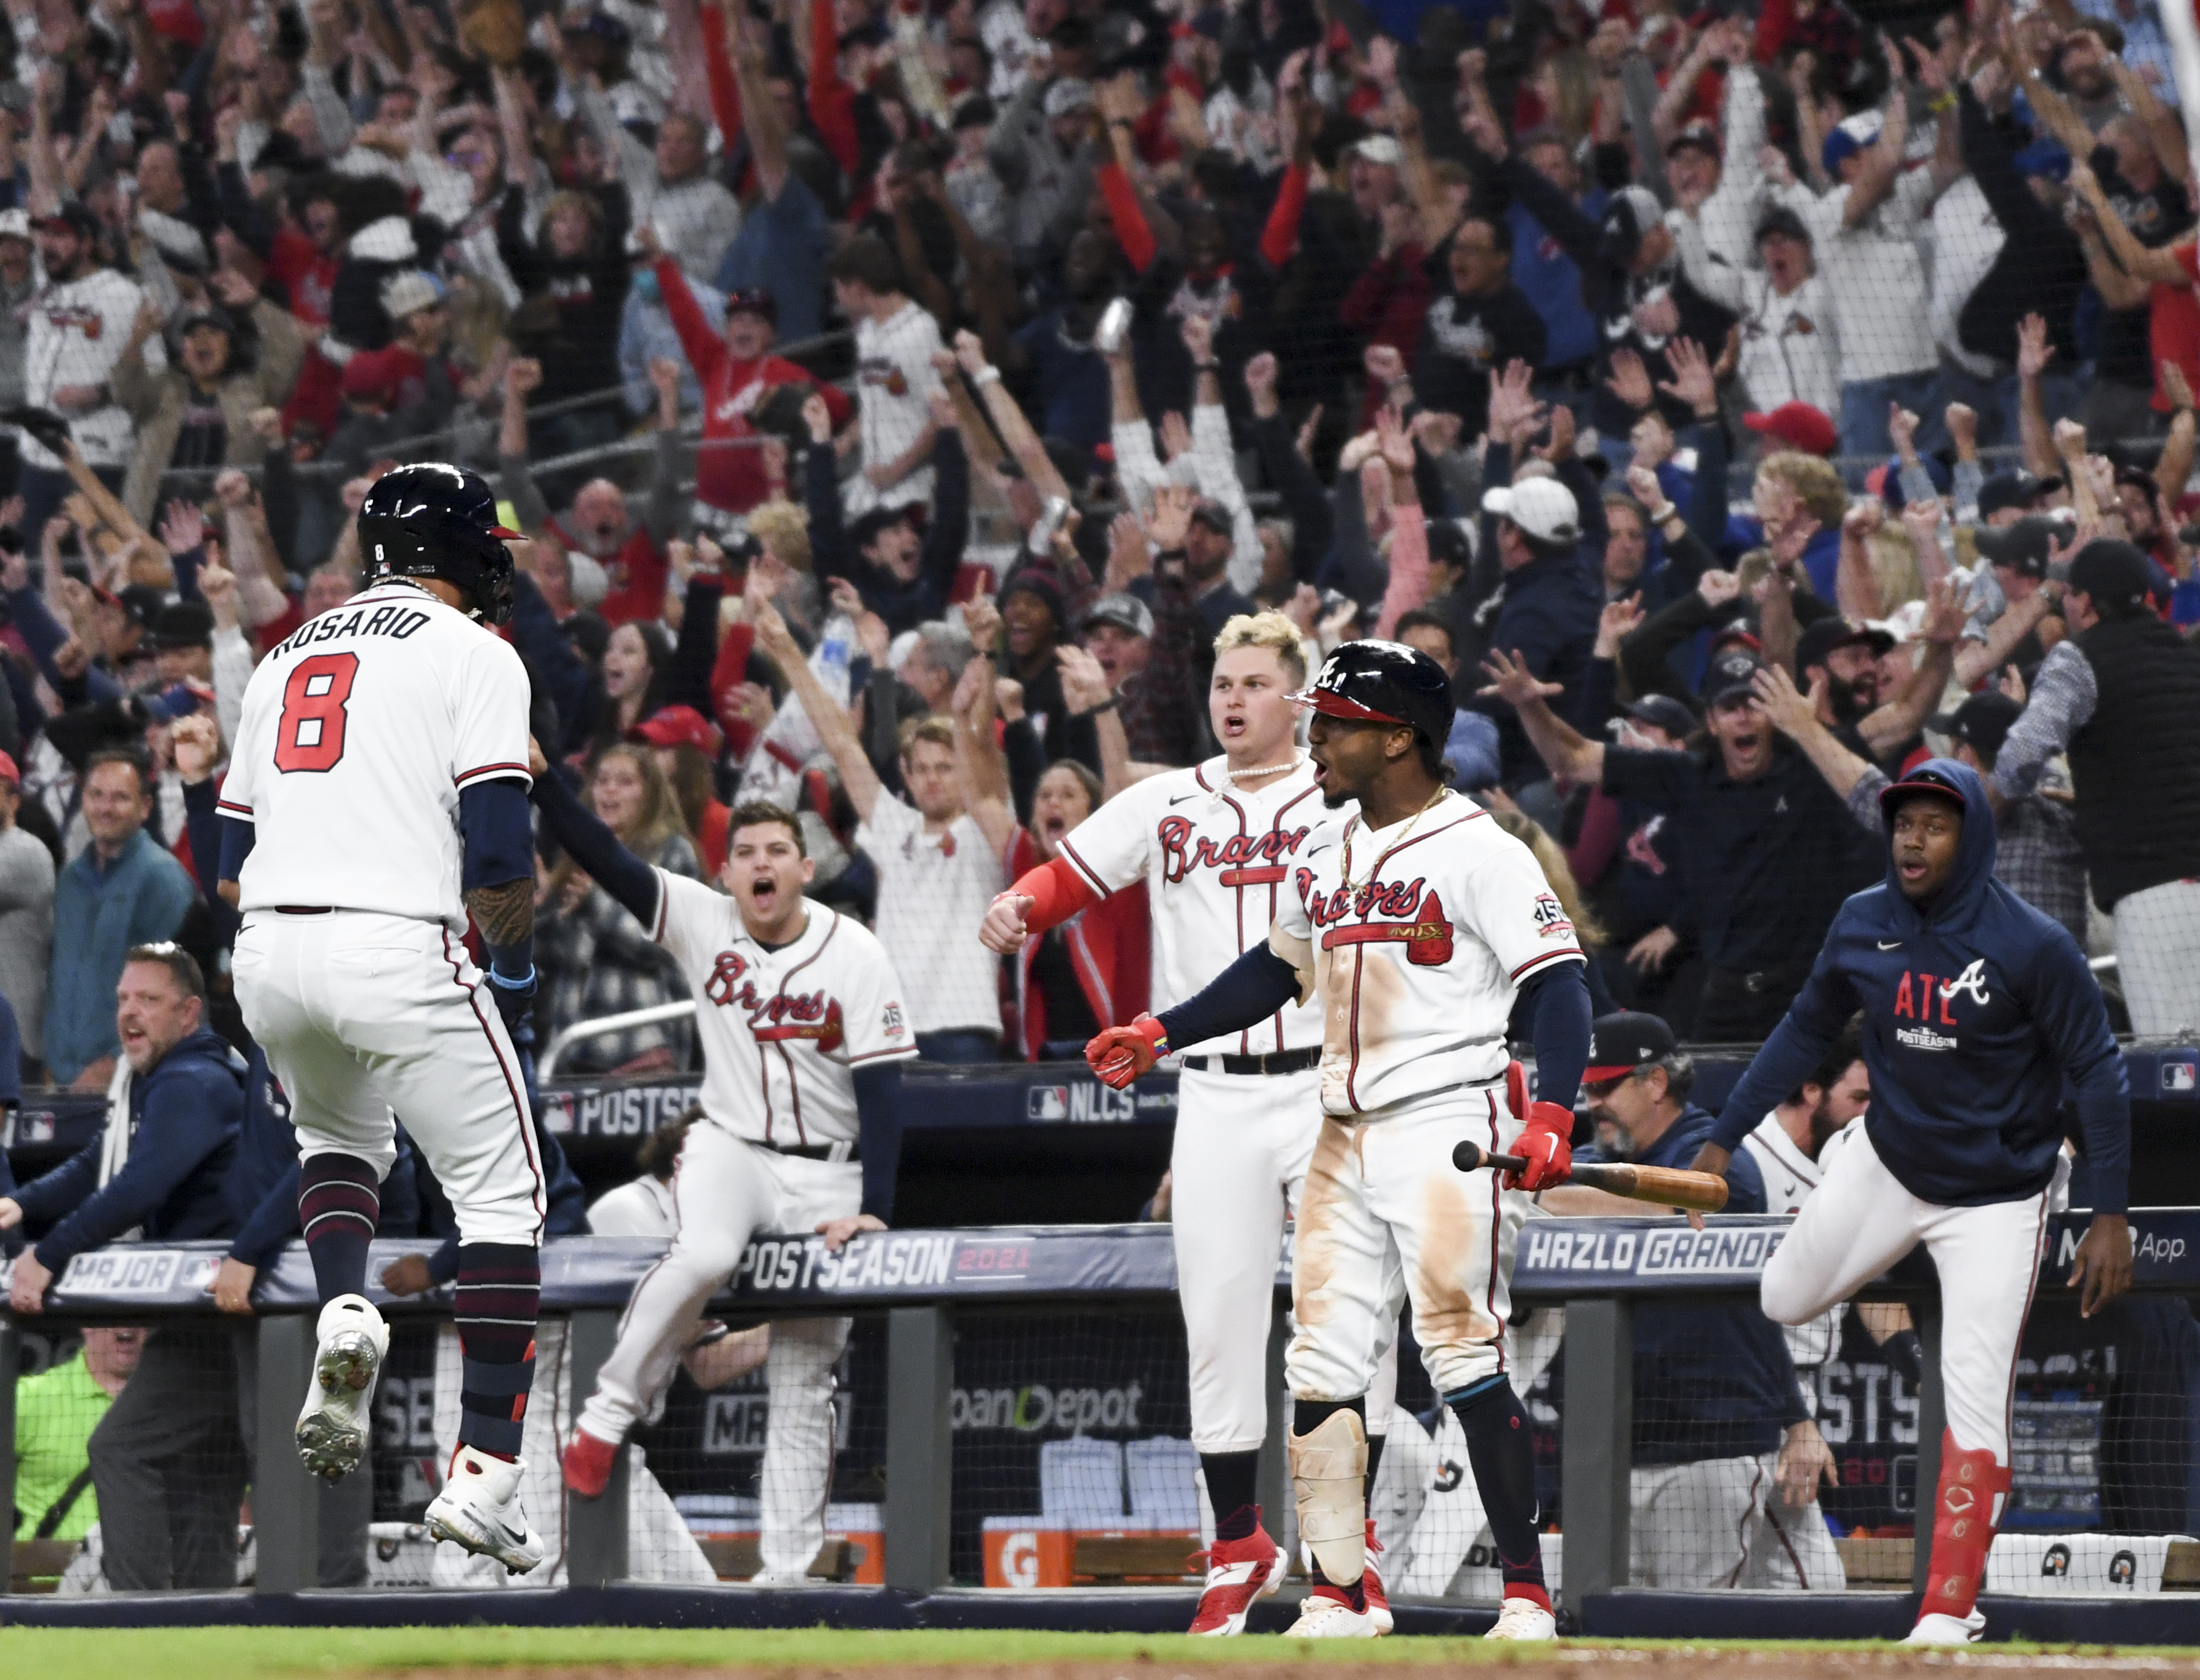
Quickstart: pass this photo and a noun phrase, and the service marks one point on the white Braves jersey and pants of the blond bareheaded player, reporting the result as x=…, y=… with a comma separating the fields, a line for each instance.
x=1215, y=861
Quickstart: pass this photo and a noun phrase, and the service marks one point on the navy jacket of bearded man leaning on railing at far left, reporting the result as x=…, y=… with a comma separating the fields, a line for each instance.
x=184, y=1136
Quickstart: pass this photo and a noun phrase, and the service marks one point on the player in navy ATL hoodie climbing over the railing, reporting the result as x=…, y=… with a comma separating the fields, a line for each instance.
x=1977, y=1008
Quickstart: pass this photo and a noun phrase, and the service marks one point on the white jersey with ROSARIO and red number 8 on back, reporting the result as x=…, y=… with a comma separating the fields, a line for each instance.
x=360, y=733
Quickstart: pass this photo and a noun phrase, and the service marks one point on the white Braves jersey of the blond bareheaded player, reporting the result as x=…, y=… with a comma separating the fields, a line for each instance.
x=1218, y=863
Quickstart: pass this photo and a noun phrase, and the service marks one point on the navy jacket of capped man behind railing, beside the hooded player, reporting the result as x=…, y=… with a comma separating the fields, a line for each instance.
x=1710, y=1382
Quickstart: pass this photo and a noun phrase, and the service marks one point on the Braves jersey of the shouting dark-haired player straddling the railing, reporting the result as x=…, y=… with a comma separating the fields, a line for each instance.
x=782, y=1028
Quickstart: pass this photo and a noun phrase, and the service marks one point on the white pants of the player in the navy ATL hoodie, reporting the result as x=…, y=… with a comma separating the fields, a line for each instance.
x=1862, y=1222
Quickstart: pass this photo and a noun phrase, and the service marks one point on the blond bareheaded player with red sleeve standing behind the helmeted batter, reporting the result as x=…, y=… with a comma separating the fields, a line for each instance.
x=1215, y=848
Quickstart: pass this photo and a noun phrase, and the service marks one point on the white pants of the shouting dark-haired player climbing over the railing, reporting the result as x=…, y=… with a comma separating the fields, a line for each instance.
x=727, y=1191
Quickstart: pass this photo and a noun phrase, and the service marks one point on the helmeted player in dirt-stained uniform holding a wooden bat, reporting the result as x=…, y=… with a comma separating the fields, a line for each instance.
x=1418, y=922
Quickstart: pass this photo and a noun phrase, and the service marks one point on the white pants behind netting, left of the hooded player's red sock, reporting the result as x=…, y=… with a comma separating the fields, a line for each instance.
x=1719, y=1523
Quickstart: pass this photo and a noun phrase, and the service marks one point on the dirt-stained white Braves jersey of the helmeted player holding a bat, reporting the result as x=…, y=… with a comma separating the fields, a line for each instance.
x=1418, y=940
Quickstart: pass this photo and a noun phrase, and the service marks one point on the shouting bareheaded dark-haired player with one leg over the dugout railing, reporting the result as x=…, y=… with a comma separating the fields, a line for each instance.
x=804, y=1035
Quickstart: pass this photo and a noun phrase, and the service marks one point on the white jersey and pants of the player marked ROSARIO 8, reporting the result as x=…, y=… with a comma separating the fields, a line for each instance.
x=360, y=733
